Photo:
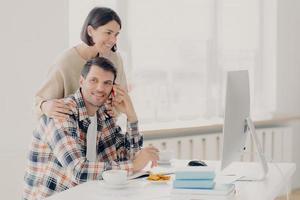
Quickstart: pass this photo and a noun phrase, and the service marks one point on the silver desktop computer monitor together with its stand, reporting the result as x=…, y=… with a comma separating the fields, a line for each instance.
x=237, y=124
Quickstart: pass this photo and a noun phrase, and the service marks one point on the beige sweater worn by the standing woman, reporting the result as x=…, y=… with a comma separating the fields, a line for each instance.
x=64, y=74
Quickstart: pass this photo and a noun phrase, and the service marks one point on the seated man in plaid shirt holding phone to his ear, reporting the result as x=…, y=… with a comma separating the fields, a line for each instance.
x=58, y=155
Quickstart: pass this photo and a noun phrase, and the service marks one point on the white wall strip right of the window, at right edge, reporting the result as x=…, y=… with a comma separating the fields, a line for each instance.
x=288, y=69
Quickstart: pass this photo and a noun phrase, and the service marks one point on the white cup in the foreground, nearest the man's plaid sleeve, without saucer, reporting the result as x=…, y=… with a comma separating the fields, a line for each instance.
x=115, y=176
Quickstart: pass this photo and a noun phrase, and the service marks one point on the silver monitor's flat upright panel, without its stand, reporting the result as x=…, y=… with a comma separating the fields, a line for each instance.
x=237, y=110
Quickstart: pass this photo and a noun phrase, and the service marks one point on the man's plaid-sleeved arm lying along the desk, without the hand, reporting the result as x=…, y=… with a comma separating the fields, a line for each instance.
x=63, y=141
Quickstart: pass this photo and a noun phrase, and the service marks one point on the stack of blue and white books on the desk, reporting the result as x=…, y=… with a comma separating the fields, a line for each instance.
x=198, y=183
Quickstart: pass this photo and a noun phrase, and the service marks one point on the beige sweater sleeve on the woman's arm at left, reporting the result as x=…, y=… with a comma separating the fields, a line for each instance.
x=52, y=88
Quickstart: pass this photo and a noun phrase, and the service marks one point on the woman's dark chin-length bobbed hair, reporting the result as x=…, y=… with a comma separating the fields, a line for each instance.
x=98, y=16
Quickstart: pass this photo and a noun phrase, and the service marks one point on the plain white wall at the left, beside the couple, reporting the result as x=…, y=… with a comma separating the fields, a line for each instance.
x=32, y=34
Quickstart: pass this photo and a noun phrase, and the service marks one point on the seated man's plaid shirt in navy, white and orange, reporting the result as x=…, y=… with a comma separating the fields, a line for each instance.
x=57, y=157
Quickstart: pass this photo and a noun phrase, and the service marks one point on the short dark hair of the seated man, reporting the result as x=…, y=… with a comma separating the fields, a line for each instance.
x=100, y=62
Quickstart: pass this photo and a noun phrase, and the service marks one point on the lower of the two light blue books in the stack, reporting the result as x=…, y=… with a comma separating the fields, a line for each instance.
x=193, y=184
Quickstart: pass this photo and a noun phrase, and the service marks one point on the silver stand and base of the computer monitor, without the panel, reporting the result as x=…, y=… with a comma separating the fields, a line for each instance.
x=254, y=171
